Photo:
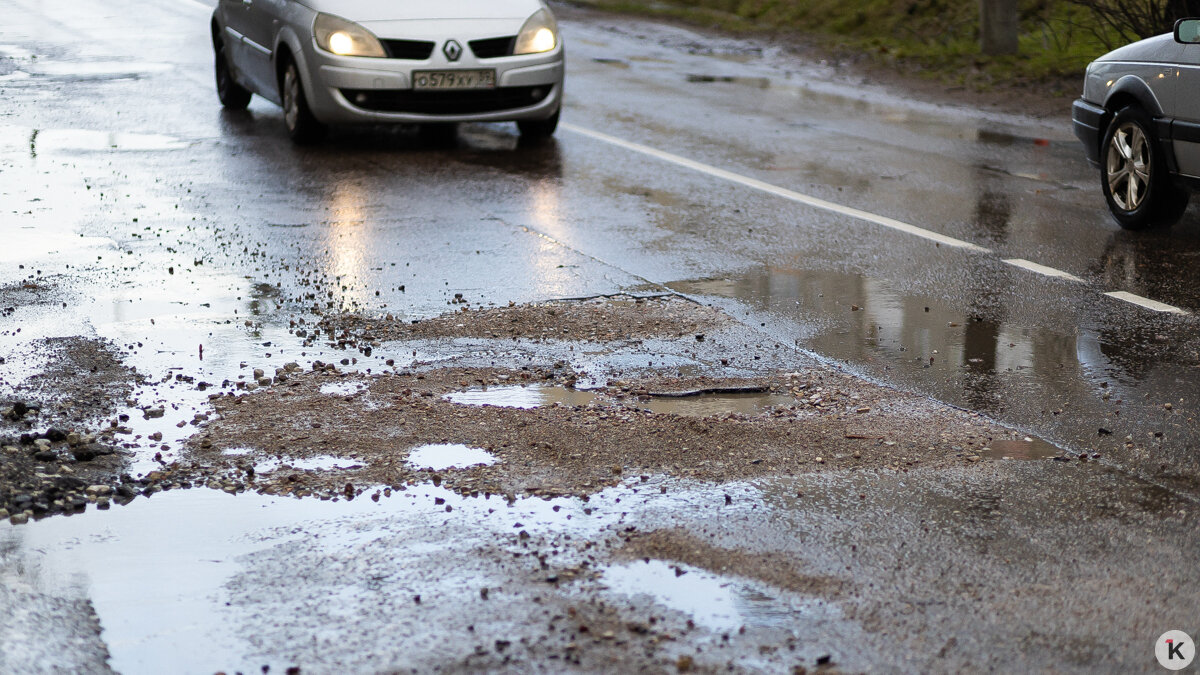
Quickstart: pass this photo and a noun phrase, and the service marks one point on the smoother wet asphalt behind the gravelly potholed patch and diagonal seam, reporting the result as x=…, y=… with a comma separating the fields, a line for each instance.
x=112, y=142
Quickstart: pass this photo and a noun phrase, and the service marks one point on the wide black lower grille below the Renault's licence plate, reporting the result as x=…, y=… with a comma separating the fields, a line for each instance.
x=447, y=103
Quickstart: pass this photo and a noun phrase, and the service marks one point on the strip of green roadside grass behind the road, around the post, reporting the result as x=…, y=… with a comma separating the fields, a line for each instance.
x=933, y=39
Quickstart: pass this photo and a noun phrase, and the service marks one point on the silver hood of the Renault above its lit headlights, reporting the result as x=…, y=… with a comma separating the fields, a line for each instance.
x=424, y=10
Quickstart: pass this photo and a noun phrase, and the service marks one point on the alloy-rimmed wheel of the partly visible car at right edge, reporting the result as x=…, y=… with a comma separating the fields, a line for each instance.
x=1135, y=176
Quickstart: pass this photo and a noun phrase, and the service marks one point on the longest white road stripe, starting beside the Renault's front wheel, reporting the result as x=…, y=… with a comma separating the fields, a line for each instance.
x=776, y=190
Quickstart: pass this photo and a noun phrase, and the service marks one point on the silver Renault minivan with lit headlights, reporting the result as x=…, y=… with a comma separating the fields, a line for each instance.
x=370, y=62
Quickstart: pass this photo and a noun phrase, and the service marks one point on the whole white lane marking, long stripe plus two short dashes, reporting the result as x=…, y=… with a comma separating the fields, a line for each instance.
x=818, y=204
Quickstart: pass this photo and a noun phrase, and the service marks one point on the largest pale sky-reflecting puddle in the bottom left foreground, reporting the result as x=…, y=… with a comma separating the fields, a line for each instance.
x=200, y=582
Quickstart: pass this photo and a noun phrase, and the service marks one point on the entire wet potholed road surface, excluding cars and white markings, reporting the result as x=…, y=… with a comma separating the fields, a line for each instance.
x=400, y=404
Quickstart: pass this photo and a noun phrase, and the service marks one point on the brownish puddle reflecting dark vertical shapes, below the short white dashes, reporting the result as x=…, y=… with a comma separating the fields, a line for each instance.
x=987, y=361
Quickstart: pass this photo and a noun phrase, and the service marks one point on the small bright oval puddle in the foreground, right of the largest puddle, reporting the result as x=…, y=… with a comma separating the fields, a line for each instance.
x=716, y=602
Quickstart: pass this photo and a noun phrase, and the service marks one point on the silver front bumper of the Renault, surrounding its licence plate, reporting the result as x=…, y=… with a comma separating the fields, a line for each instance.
x=347, y=91
